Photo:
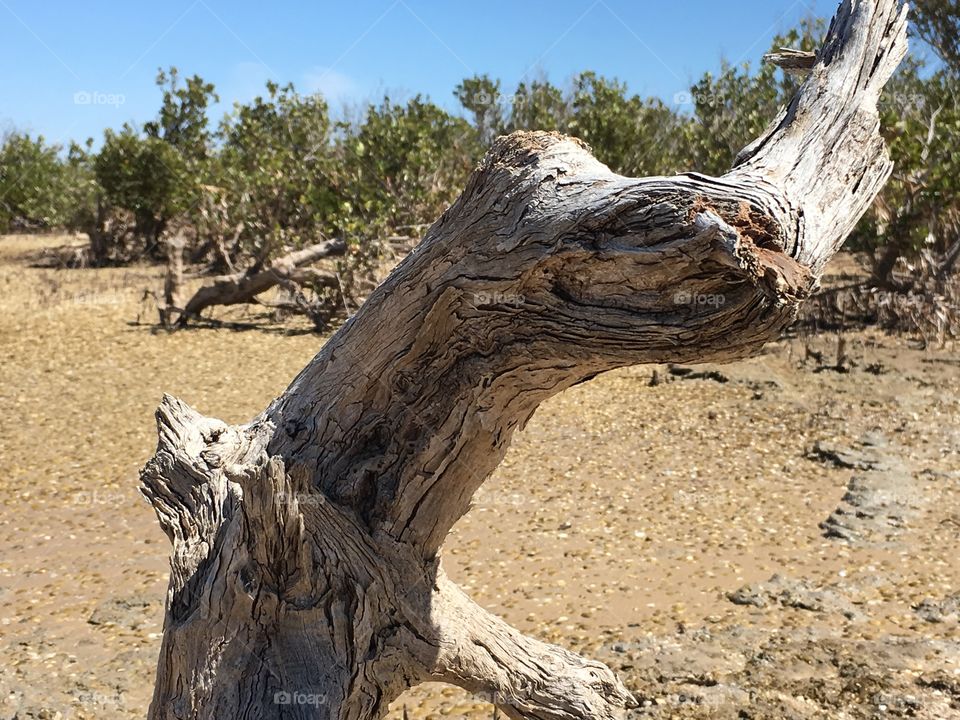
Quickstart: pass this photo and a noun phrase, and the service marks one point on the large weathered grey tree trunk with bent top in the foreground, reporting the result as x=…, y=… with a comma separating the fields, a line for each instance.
x=306, y=579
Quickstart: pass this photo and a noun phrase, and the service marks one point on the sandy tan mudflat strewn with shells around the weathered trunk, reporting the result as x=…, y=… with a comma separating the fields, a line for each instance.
x=623, y=521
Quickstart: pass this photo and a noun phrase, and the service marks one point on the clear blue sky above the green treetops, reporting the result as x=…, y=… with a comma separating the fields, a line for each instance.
x=69, y=69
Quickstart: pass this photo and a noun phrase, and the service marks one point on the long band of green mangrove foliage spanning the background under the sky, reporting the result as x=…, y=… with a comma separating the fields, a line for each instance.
x=278, y=173
